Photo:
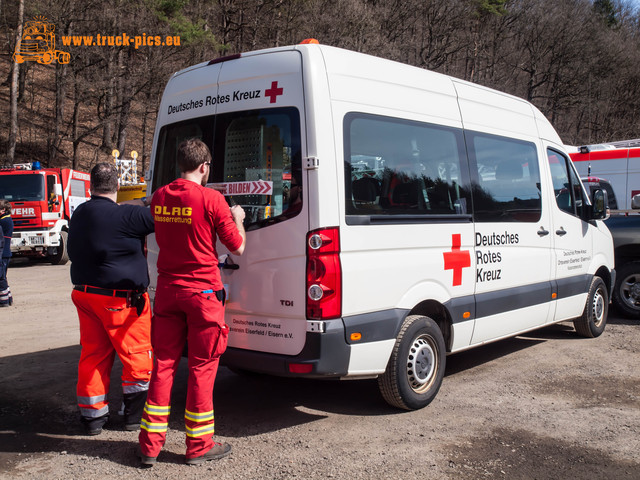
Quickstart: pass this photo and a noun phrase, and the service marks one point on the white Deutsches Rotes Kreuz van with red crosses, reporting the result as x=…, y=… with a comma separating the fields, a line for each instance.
x=394, y=215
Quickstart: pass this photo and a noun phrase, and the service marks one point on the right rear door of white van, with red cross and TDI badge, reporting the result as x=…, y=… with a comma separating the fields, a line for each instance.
x=257, y=152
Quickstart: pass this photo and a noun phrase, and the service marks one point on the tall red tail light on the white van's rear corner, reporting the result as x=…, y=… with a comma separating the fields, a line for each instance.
x=324, y=274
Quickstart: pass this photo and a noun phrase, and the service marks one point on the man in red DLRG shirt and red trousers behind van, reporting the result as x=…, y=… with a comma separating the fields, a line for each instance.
x=189, y=303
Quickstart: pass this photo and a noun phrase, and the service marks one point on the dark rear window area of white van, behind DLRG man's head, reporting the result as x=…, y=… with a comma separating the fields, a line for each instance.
x=256, y=160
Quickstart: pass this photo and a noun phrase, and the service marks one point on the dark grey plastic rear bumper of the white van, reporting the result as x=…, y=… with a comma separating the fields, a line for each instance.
x=327, y=353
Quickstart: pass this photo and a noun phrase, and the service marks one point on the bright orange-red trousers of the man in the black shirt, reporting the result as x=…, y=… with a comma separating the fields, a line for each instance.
x=108, y=327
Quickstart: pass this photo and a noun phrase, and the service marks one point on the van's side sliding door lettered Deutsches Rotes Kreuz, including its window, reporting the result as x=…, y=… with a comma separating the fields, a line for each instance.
x=512, y=236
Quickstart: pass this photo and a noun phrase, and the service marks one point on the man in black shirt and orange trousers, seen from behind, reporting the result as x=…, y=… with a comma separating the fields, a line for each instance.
x=110, y=277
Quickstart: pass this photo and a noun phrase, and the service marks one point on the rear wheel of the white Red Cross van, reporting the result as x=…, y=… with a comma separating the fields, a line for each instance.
x=420, y=338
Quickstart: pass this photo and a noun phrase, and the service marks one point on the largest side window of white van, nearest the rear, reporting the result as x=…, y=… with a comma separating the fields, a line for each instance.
x=400, y=167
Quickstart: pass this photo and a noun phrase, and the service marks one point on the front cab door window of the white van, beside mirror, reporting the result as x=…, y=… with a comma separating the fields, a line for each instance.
x=566, y=184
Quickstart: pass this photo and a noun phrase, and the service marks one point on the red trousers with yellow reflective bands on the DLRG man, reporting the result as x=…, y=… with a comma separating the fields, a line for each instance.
x=181, y=314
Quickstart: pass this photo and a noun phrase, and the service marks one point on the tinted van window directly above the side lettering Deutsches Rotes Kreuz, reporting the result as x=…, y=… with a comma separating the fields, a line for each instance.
x=506, y=183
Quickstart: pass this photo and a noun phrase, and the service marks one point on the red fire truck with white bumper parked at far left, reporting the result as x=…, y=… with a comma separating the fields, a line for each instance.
x=42, y=200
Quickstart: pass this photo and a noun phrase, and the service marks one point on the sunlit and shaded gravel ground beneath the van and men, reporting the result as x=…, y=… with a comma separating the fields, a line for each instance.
x=547, y=405
